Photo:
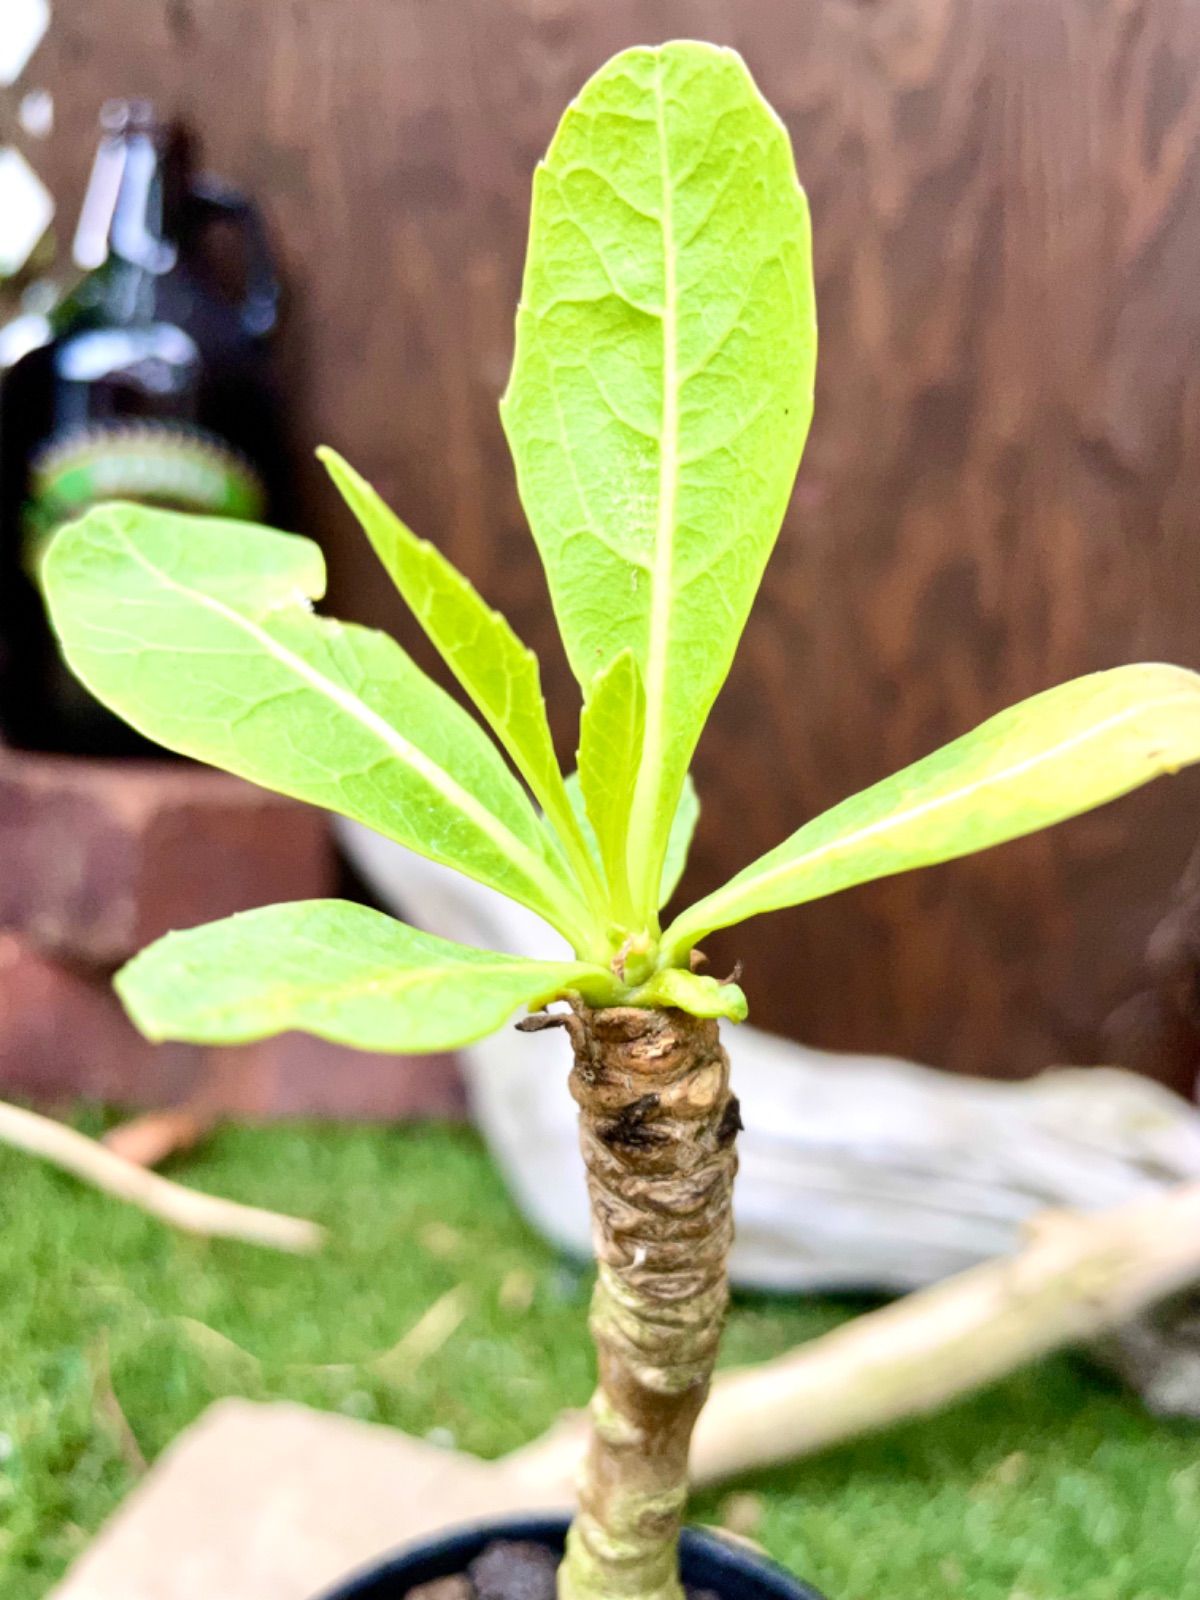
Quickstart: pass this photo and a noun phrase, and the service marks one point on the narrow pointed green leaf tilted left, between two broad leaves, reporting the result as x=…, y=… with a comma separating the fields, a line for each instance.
x=494, y=666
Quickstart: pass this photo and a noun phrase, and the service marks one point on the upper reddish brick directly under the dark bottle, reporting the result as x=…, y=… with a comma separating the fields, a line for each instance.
x=100, y=858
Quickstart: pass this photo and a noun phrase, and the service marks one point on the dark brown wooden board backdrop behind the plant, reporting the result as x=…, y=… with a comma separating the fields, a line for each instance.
x=1002, y=484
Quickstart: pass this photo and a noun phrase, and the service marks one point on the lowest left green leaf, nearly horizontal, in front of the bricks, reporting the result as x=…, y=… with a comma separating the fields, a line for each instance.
x=342, y=972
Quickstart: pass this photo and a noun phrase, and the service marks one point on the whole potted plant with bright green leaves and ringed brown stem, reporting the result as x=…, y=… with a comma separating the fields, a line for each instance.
x=657, y=412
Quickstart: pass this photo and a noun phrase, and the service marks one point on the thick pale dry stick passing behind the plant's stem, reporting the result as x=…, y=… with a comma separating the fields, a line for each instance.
x=1078, y=1279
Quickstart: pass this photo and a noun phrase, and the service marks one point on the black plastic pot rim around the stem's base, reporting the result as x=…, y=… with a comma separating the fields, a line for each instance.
x=730, y=1570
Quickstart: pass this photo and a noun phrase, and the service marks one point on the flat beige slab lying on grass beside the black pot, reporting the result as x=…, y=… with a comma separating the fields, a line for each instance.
x=278, y=1503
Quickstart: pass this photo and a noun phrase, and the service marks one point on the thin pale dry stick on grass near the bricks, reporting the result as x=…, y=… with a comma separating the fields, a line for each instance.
x=186, y=1209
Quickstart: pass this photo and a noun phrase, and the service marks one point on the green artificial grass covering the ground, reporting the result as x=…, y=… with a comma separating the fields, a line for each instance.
x=1054, y=1486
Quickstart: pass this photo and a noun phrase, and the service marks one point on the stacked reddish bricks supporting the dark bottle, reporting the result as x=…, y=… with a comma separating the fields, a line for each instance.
x=98, y=858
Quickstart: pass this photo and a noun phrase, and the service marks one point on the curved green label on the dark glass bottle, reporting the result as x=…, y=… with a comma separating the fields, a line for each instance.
x=151, y=463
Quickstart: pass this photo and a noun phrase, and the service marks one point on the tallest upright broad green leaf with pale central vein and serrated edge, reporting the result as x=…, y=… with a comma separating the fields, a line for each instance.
x=663, y=385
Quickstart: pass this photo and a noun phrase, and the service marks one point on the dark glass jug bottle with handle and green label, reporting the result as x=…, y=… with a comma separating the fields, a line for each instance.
x=150, y=382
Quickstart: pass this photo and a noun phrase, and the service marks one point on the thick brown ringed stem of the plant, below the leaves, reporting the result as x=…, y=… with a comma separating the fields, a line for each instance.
x=658, y=1129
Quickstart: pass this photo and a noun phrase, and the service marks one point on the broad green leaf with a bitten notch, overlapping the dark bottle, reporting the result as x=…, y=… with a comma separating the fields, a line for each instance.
x=201, y=633
